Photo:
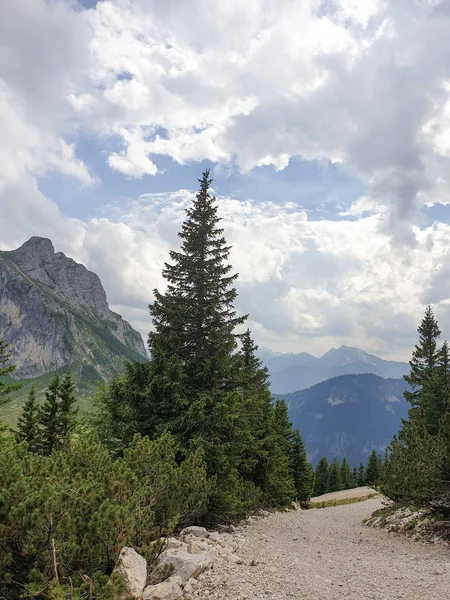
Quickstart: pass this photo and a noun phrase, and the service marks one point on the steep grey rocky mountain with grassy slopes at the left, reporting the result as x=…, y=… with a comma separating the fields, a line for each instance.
x=55, y=314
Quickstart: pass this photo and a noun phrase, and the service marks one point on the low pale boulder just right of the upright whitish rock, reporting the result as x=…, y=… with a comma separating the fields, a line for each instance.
x=183, y=565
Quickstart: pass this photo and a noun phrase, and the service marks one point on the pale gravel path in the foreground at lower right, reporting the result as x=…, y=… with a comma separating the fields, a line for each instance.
x=325, y=554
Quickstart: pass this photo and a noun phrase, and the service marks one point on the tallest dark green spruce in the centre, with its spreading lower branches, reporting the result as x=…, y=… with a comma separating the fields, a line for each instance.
x=199, y=386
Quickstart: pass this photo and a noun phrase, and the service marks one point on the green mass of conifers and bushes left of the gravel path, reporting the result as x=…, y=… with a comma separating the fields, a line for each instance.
x=192, y=436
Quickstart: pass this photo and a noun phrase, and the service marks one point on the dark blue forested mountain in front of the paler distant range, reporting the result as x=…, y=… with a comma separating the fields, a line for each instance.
x=348, y=415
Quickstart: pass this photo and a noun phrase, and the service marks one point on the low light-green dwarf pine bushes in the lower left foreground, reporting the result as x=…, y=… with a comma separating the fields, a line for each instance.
x=89, y=505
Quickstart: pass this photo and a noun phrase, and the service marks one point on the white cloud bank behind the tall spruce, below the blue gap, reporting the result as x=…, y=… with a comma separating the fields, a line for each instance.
x=306, y=284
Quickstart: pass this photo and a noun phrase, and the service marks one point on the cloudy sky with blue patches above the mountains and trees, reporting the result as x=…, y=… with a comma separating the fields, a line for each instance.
x=325, y=124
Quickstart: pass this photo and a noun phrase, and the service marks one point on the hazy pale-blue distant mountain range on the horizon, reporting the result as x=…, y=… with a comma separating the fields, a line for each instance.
x=291, y=372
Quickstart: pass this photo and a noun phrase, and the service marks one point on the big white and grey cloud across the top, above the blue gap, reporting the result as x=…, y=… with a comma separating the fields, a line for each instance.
x=362, y=83
